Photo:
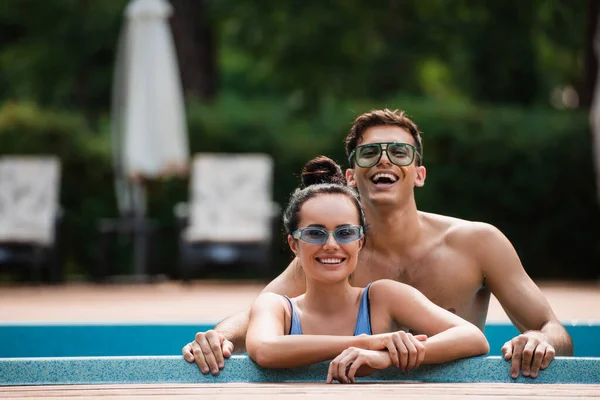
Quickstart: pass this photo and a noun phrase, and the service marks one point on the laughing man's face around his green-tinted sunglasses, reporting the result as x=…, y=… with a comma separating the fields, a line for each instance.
x=385, y=182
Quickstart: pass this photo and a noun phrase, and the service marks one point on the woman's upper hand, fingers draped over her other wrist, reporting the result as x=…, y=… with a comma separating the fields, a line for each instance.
x=406, y=351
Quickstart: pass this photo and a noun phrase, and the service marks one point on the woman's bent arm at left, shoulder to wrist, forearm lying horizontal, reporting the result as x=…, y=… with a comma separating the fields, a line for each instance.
x=270, y=347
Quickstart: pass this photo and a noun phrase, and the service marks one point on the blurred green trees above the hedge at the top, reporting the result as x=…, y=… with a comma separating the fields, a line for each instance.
x=62, y=53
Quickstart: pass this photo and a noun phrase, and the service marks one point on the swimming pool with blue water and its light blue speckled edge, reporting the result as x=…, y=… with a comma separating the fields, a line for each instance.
x=51, y=354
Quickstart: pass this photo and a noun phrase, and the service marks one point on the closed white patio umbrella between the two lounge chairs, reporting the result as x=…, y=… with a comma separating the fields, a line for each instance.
x=149, y=133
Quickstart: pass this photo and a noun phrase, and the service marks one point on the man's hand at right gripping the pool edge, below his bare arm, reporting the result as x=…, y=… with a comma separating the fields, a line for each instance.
x=530, y=352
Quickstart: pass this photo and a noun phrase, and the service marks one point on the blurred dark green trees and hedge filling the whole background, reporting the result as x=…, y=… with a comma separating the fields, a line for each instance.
x=502, y=91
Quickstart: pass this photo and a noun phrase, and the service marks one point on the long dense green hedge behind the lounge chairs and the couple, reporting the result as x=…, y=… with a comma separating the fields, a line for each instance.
x=527, y=172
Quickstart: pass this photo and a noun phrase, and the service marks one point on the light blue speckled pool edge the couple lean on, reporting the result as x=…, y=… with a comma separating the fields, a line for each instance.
x=240, y=368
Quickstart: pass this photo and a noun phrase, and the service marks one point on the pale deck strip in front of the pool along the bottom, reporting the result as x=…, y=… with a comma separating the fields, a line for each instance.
x=308, y=391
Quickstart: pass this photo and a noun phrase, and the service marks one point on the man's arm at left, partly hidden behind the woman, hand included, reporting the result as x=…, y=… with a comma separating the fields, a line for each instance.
x=210, y=348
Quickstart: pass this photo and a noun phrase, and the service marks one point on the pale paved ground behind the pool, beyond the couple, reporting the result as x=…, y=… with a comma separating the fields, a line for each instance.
x=211, y=301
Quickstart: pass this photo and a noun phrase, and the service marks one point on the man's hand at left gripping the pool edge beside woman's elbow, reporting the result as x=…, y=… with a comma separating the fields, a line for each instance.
x=208, y=350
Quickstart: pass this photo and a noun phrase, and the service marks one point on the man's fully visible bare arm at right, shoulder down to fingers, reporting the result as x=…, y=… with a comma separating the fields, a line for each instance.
x=542, y=334
